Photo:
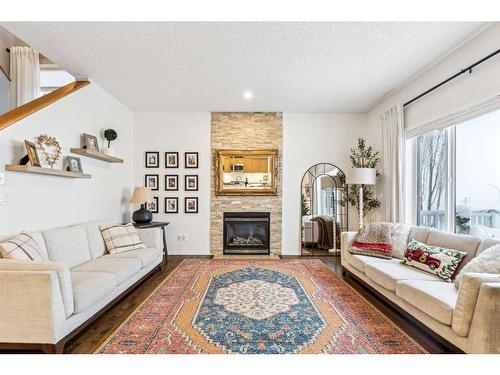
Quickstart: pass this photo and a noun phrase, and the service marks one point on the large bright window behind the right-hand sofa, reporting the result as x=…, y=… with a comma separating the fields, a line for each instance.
x=457, y=177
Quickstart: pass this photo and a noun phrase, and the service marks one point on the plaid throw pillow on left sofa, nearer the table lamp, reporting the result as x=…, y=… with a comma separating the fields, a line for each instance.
x=120, y=238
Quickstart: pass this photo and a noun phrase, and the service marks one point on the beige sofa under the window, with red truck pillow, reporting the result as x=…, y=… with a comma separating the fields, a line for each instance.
x=468, y=318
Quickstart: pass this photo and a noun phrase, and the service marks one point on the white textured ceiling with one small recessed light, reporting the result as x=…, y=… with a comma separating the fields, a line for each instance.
x=206, y=66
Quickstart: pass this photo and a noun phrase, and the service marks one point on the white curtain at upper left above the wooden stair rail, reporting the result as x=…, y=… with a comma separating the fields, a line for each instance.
x=25, y=75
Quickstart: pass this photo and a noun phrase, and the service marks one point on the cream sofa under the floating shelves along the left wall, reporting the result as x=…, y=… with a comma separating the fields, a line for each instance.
x=43, y=304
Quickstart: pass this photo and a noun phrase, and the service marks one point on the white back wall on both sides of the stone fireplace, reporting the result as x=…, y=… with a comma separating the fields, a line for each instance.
x=308, y=138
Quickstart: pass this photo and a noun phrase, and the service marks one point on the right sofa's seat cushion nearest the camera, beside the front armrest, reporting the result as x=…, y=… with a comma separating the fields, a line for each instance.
x=435, y=298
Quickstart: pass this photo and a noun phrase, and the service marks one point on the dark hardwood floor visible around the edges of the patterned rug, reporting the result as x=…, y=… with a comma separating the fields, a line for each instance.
x=91, y=337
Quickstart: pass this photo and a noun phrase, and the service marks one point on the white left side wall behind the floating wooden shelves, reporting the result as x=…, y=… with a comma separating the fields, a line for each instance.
x=40, y=202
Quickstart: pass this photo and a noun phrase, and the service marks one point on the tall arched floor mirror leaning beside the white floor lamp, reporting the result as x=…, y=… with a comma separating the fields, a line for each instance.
x=323, y=217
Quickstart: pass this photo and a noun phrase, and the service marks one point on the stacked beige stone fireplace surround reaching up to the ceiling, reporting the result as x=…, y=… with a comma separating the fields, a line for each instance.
x=246, y=131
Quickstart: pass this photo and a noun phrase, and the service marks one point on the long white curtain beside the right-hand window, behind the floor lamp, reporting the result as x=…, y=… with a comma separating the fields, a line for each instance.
x=393, y=158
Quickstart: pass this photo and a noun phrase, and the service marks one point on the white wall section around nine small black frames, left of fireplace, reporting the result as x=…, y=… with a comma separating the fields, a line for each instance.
x=177, y=132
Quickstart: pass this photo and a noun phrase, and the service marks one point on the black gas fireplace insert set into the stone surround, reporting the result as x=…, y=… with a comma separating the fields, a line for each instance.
x=246, y=233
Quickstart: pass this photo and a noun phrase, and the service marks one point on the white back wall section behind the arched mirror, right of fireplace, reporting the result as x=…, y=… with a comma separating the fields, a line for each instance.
x=311, y=138
